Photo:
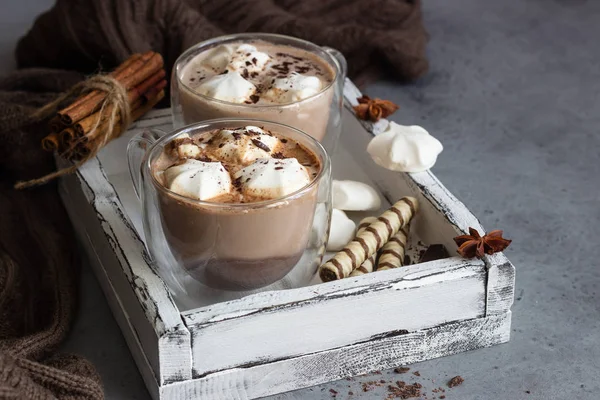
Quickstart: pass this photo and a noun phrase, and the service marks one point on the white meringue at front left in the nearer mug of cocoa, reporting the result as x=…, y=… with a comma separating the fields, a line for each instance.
x=198, y=179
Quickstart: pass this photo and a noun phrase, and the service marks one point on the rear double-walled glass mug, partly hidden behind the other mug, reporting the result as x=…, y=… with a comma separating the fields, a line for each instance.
x=319, y=115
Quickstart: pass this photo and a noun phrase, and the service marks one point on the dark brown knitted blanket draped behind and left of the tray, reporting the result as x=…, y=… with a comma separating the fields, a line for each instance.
x=38, y=265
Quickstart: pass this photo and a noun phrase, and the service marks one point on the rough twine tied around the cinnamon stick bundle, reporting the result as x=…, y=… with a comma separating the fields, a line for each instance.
x=115, y=108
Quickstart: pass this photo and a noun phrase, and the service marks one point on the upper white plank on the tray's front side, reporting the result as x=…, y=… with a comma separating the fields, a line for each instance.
x=408, y=304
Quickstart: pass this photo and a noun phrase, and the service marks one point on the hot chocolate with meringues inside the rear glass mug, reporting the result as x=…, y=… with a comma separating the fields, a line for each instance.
x=258, y=79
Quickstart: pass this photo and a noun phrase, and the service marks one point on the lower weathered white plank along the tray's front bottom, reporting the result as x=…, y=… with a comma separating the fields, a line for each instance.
x=313, y=369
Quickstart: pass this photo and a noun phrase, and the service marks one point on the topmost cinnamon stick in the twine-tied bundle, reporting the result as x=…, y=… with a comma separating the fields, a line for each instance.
x=138, y=71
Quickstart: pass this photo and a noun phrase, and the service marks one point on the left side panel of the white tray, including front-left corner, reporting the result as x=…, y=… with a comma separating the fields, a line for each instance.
x=164, y=337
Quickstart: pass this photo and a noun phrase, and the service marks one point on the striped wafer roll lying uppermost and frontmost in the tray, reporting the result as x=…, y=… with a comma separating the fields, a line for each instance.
x=369, y=241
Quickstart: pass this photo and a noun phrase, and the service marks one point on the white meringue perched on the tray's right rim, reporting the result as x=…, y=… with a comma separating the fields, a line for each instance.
x=405, y=148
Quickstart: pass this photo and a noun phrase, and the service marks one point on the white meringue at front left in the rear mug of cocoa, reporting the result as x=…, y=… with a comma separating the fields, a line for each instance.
x=227, y=87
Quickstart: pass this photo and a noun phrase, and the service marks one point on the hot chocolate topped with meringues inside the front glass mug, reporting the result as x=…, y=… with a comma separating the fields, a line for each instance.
x=237, y=204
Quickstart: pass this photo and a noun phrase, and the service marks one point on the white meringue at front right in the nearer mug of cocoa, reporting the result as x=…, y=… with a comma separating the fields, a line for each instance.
x=270, y=178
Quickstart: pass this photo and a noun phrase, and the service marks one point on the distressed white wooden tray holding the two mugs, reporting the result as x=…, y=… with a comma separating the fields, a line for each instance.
x=280, y=340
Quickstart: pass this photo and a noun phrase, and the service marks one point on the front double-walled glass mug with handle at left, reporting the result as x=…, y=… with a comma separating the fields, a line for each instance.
x=232, y=247
